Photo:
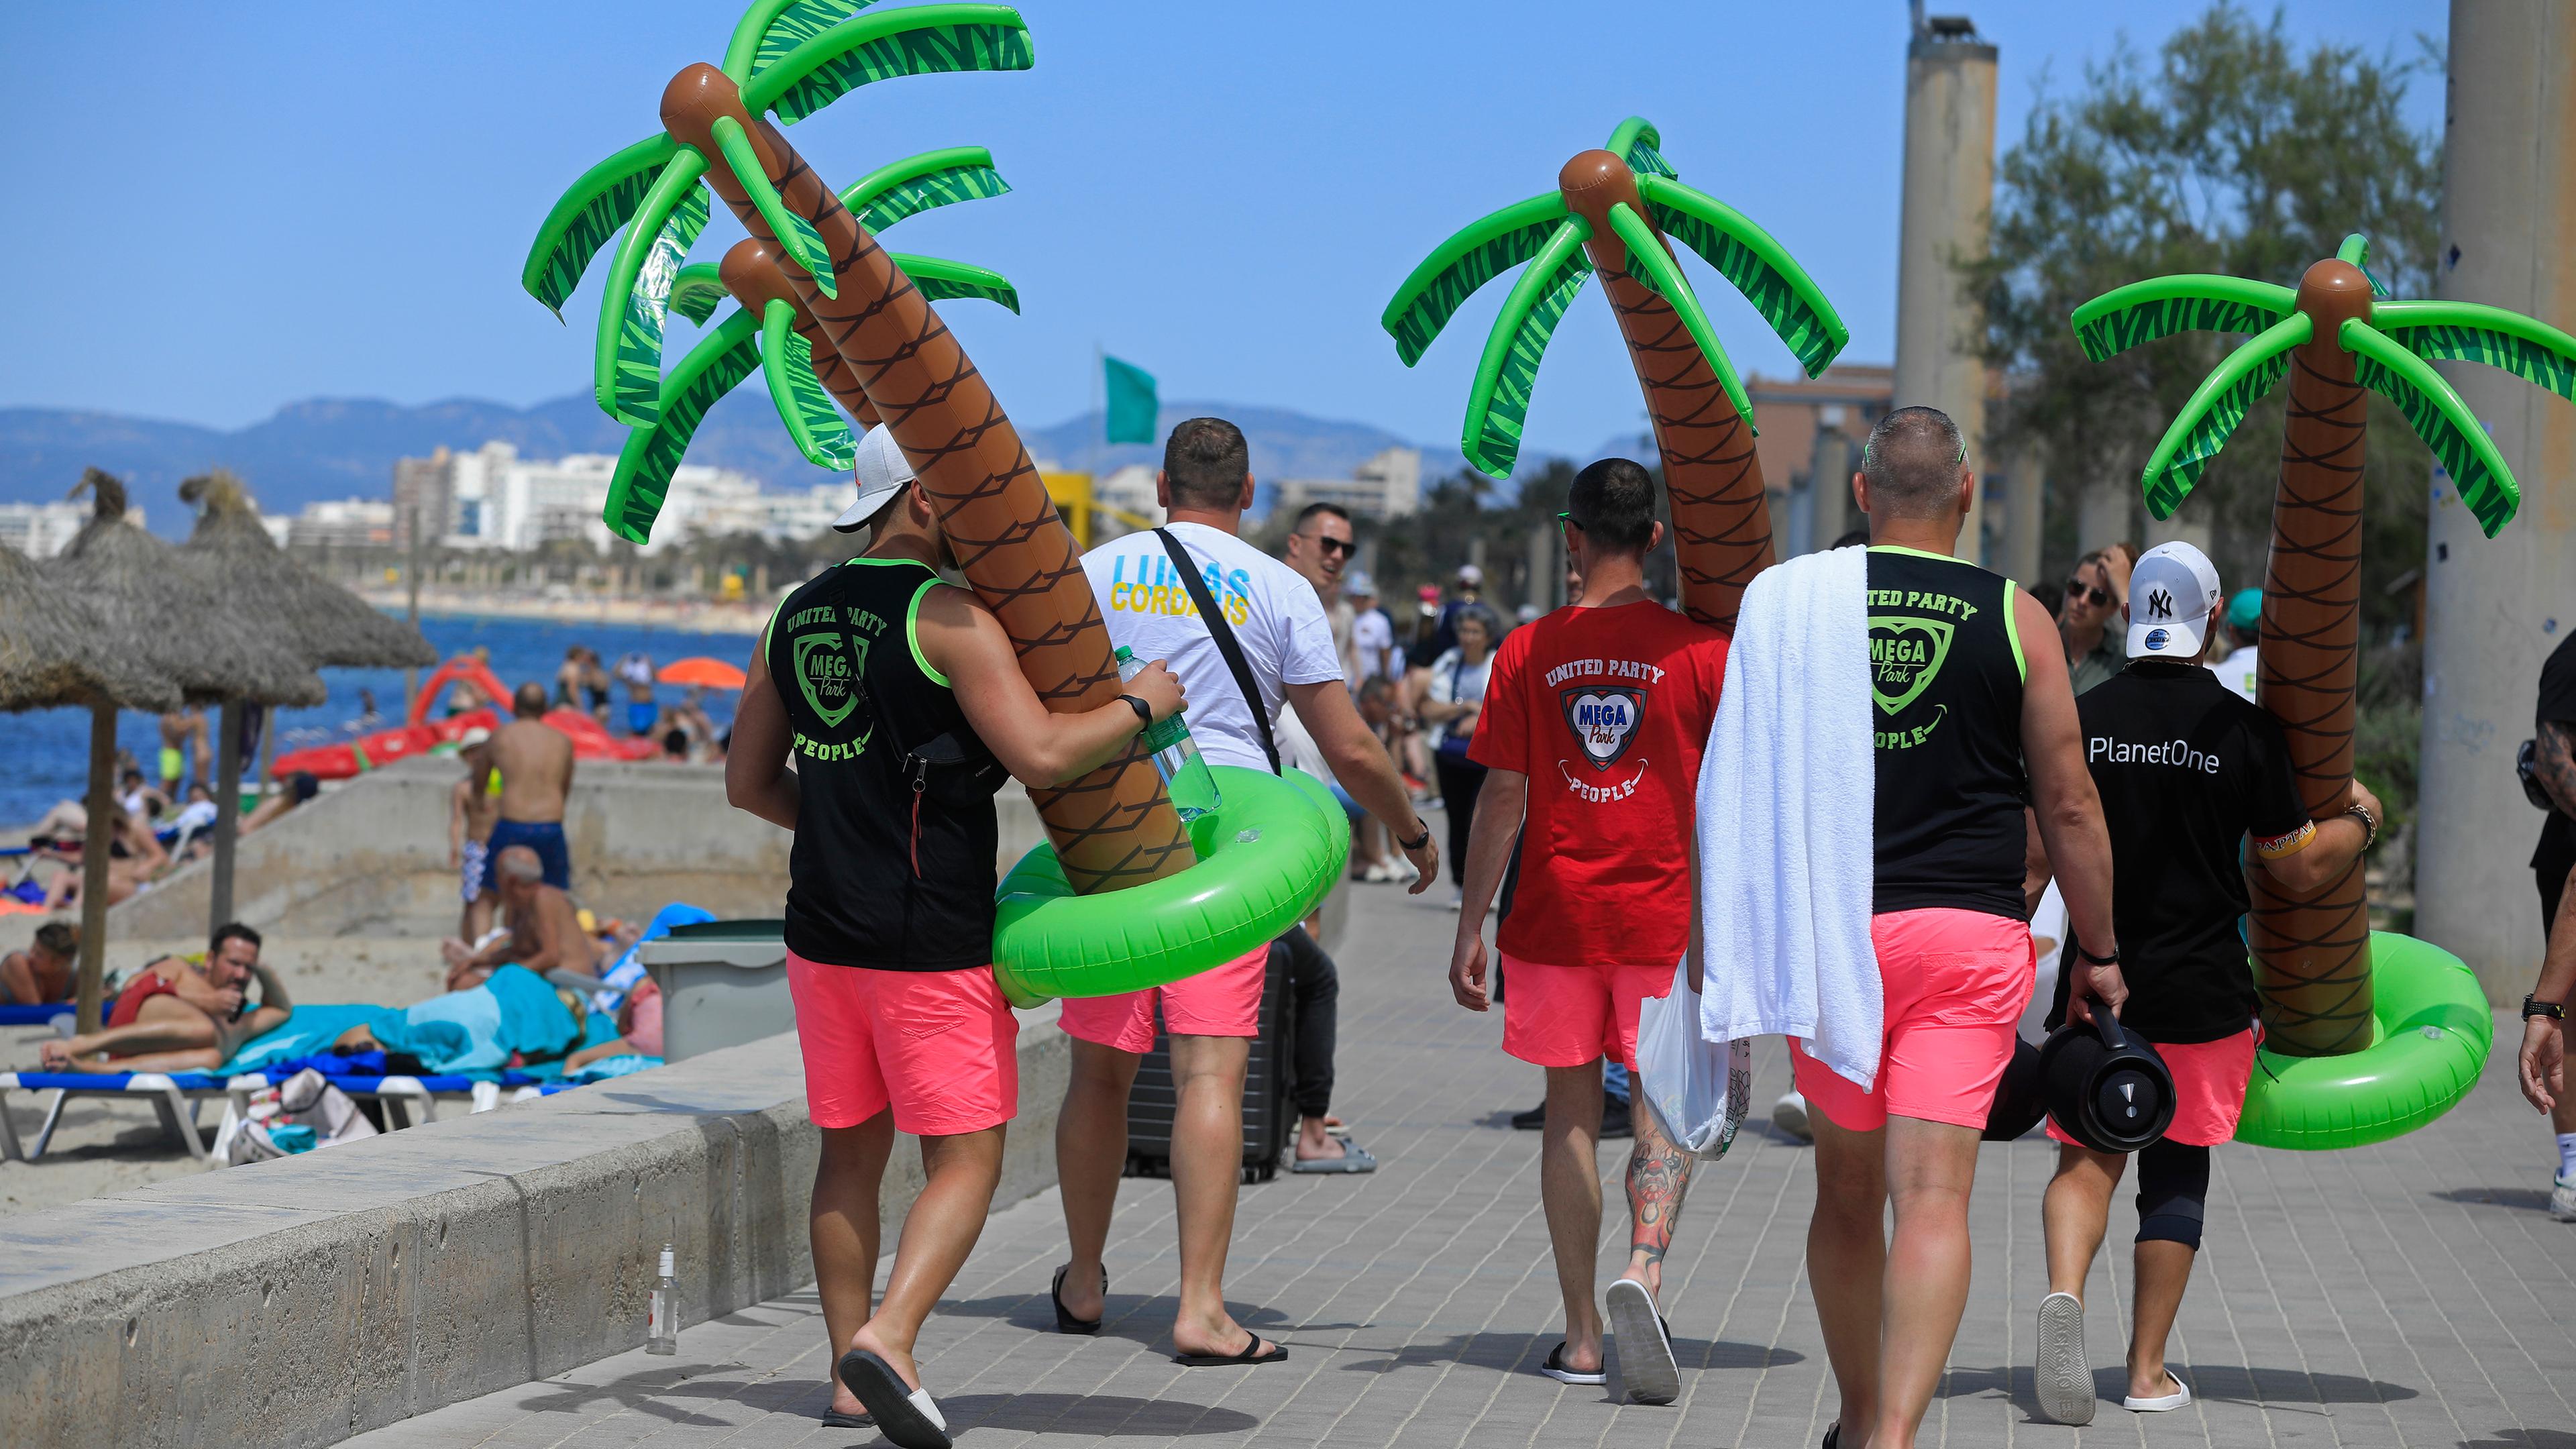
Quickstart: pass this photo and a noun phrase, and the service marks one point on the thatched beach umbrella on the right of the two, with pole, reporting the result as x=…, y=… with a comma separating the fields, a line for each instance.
x=323, y=623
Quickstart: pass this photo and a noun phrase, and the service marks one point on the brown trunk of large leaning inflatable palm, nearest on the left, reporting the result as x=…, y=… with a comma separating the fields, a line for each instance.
x=1114, y=826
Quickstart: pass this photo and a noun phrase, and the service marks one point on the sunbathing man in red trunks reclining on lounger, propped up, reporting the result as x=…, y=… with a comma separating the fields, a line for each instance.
x=179, y=1017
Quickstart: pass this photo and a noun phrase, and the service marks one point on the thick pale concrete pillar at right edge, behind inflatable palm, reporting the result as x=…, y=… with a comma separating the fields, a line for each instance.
x=2497, y=607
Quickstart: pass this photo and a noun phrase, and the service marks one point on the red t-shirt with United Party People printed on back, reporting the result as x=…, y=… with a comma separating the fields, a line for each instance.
x=1606, y=710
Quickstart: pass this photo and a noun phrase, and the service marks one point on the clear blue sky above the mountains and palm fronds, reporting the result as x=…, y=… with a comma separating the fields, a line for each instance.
x=231, y=208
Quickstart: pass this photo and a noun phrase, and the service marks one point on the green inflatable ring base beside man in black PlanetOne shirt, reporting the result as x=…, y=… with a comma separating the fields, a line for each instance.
x=2433, y=1040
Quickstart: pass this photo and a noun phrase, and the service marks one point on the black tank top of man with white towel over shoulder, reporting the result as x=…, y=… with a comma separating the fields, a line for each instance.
x=1946, y=672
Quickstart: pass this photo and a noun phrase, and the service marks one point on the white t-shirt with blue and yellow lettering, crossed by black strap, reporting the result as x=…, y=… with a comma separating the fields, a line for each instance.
x=1274, y=612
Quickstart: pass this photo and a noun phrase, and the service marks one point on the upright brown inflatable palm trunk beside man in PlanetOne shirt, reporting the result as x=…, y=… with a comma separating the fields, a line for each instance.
x=2312, y=953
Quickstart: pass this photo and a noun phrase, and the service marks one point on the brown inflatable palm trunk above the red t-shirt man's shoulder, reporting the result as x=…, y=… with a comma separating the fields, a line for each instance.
x=1712, y=471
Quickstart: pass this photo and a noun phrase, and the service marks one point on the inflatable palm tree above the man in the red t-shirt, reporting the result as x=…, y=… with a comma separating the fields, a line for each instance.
x=1611, y=215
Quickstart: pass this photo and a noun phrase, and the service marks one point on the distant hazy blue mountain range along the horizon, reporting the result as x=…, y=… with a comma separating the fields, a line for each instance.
x=346, y=447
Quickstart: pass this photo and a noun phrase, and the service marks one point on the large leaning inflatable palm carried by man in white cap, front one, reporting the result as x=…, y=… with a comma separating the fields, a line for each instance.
x=790, y=61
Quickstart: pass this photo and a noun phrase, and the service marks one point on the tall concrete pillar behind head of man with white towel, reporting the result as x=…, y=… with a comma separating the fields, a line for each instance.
x=1949, y=190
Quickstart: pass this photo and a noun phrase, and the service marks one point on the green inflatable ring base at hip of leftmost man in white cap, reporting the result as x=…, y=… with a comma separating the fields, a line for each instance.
x=1266, y=857
